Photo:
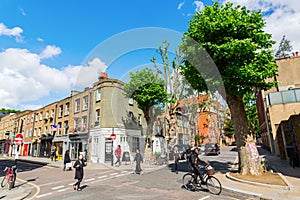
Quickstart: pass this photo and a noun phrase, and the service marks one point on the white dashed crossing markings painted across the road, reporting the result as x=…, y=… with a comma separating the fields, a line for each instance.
x=65, y=187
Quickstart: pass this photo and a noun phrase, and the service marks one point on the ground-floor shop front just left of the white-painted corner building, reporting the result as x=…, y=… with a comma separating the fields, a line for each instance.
x=78, y=145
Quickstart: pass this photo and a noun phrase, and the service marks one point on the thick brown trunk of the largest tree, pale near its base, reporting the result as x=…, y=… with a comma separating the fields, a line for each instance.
x=247, y=151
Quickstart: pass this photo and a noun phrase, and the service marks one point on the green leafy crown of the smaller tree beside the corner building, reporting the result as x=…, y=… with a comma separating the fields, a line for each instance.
x=146, y=88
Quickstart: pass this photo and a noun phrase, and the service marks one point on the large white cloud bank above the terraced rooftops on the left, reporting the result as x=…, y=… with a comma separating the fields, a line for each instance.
x=27, y=79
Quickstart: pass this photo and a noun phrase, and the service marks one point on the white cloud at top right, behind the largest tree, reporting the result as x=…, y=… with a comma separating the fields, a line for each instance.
x=282, y=17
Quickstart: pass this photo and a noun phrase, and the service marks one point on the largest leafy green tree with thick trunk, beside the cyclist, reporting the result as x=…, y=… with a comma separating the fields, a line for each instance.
x=234, y=39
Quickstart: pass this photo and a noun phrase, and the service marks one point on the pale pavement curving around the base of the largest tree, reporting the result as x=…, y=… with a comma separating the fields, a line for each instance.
x=263, y=191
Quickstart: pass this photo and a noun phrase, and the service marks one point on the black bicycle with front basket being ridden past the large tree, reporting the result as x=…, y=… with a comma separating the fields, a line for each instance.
x=213, y=185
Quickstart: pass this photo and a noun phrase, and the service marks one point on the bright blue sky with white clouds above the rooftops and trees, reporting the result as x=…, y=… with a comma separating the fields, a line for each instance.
x=48, y=48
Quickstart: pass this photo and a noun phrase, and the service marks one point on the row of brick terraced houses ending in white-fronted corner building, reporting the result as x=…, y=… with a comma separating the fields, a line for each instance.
x=80, y=123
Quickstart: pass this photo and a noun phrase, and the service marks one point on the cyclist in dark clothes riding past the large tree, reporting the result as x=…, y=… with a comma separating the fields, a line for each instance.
x=196, y=164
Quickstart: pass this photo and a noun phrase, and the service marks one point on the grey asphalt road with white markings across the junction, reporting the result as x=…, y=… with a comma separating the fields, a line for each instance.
x=119, y=183
